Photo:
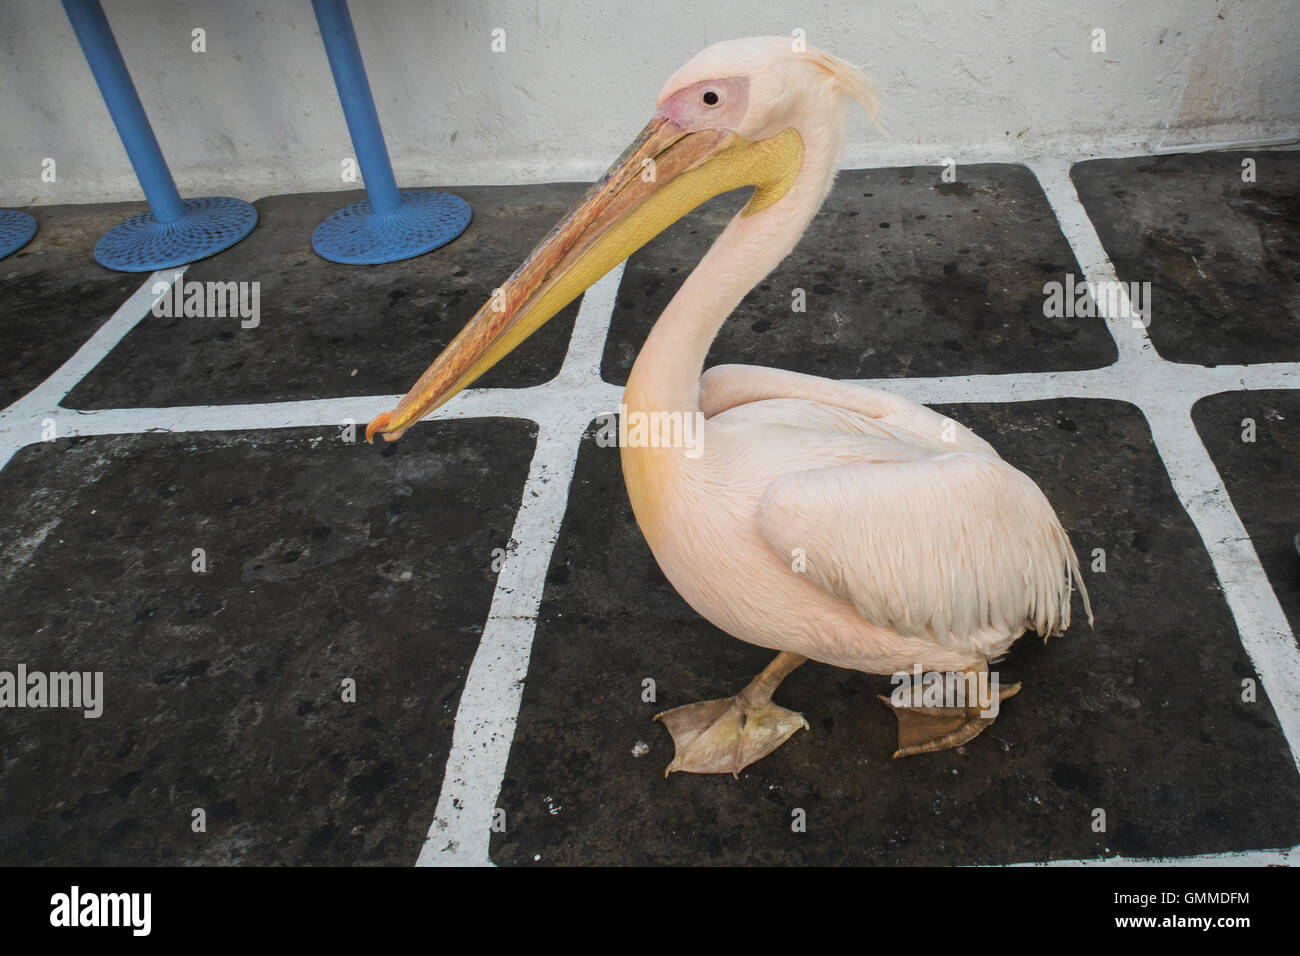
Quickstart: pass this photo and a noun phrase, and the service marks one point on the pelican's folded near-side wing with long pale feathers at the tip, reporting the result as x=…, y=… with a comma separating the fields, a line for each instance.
x=951, y=544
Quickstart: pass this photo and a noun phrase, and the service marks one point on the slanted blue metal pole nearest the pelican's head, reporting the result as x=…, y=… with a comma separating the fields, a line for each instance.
x=354, y=93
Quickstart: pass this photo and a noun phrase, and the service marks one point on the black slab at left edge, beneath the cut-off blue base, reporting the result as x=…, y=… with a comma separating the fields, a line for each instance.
x=54, y=296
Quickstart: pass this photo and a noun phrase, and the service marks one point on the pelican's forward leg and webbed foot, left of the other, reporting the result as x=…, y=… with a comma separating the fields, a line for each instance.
x=725, y=737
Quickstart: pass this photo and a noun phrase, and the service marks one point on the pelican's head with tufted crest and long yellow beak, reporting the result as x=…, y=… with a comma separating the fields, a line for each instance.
x=738, y=115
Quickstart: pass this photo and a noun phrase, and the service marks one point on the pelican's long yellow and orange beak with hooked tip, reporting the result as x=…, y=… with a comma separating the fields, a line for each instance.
x=660, y=179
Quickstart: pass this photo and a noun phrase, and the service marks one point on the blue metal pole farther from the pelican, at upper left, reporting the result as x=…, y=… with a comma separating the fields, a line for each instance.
x=124, y=106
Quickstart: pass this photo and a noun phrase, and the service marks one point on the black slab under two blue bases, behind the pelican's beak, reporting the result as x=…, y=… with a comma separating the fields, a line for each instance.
x=332, y=331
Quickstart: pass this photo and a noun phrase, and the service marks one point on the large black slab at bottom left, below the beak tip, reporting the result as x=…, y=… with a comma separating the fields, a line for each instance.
x=224, y=690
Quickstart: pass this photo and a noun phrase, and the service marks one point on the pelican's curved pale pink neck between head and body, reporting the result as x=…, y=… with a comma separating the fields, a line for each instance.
x=666, y=375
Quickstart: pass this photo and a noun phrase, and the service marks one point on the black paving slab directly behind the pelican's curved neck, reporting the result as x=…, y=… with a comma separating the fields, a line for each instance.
x=903, y=275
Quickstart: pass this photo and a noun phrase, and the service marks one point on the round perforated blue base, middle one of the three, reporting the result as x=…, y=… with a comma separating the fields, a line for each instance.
x=207, y=227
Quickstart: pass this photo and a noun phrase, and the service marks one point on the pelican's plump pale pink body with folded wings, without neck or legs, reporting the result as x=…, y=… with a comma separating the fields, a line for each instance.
x=790, y=531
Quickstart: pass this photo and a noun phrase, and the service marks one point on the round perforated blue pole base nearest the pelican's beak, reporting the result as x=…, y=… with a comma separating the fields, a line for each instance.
x=358, y=236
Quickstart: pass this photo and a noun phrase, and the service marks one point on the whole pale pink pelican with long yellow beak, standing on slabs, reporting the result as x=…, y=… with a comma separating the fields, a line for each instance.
x=816, y=518
